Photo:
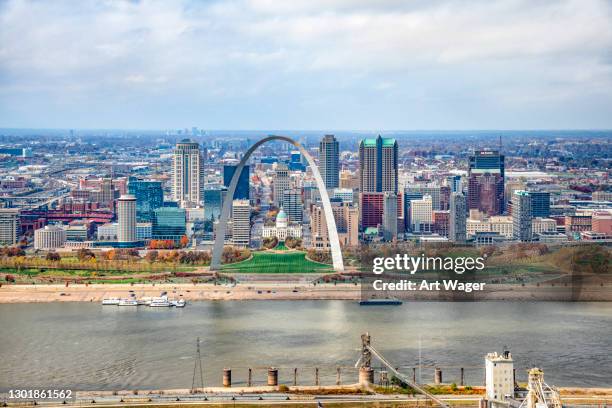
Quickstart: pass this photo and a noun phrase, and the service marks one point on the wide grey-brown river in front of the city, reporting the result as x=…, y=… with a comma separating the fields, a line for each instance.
x=85, y=346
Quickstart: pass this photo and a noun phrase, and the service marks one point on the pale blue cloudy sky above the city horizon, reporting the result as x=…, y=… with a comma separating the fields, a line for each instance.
x=307, y=64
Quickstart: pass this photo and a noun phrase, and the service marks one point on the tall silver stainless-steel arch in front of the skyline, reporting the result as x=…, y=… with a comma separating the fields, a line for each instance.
x=332, y=232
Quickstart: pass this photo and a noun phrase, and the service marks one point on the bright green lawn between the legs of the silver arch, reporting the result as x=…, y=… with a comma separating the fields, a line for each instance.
x=270, y=262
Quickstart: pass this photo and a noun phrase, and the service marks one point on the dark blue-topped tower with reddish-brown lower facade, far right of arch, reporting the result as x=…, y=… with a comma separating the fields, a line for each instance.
x=486, y=175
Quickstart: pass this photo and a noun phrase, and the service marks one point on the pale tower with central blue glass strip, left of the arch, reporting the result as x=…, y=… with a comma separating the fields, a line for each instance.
x=187, y=173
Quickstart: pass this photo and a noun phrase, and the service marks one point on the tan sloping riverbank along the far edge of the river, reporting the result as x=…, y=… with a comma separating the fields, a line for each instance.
x=285, y=288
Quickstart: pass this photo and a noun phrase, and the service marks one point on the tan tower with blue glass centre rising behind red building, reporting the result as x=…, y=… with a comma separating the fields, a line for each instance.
x=378, y=165
